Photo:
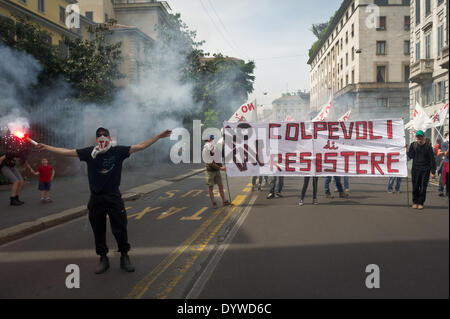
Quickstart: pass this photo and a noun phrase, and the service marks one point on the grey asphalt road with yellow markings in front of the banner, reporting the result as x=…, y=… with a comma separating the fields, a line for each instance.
x=258, y=248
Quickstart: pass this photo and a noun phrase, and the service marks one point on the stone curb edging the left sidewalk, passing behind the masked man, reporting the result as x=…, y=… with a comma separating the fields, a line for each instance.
x=25, y=229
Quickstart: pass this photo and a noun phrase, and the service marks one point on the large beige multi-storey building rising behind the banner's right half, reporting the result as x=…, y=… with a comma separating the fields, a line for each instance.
x=362, y=61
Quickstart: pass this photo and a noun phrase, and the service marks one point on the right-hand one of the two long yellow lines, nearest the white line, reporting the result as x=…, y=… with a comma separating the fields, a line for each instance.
x=198, y=249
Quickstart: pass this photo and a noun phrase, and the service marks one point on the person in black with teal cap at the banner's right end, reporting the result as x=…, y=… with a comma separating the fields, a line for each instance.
x=424, y=163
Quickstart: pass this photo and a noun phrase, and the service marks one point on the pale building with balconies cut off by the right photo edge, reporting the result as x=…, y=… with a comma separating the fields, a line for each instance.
x=429, y=59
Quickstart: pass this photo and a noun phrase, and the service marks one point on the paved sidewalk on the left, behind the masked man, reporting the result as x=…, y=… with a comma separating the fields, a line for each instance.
x=73, y=192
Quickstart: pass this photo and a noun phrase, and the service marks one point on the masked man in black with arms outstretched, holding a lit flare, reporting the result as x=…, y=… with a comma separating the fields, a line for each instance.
x=104, y=163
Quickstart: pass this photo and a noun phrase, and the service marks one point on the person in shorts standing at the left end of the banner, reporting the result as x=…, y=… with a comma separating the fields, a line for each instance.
x=213, y=169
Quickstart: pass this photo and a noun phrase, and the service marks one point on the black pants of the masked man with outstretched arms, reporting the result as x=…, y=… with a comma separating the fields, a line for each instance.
x=112, y=205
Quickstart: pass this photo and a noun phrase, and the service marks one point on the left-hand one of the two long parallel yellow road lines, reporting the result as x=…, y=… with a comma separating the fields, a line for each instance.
x=143, y=285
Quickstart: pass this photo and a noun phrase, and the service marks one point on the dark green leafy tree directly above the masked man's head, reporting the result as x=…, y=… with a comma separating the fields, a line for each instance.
x=93, y=65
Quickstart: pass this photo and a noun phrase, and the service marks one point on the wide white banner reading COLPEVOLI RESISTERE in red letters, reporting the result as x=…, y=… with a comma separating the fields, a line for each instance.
x=360, y=148
